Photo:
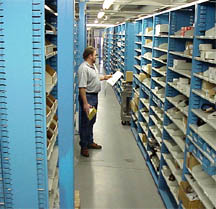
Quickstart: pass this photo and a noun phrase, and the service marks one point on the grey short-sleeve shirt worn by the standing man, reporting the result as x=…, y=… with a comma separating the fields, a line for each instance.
x=89, y=78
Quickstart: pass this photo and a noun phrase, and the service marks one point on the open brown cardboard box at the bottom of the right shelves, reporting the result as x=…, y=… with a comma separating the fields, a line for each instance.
x=184, y=197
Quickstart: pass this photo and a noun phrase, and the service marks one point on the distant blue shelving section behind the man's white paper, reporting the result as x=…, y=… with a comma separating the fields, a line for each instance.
x=118, y=52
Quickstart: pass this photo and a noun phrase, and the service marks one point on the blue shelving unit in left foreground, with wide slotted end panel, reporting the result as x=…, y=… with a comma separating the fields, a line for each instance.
x=36, y=104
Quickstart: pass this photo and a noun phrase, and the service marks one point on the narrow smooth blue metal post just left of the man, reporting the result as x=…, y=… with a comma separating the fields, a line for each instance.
x=66, y=101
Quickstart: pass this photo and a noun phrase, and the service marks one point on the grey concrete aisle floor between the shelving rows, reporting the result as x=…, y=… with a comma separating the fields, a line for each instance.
x=115, y=177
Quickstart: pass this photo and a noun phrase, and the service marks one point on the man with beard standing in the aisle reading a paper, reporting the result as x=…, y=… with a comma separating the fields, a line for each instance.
x=89, y=87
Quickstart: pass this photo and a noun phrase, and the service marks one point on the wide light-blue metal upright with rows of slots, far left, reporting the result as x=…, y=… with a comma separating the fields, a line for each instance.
x=22, y=155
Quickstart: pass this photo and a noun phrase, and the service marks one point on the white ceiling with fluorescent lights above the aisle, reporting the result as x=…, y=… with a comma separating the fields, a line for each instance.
x=126, y=10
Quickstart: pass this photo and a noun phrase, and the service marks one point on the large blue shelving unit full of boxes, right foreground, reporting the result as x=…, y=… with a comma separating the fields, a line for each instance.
x=174, y=82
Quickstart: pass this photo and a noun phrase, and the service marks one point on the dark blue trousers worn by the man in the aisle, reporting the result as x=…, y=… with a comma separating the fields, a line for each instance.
x=86, y=125
